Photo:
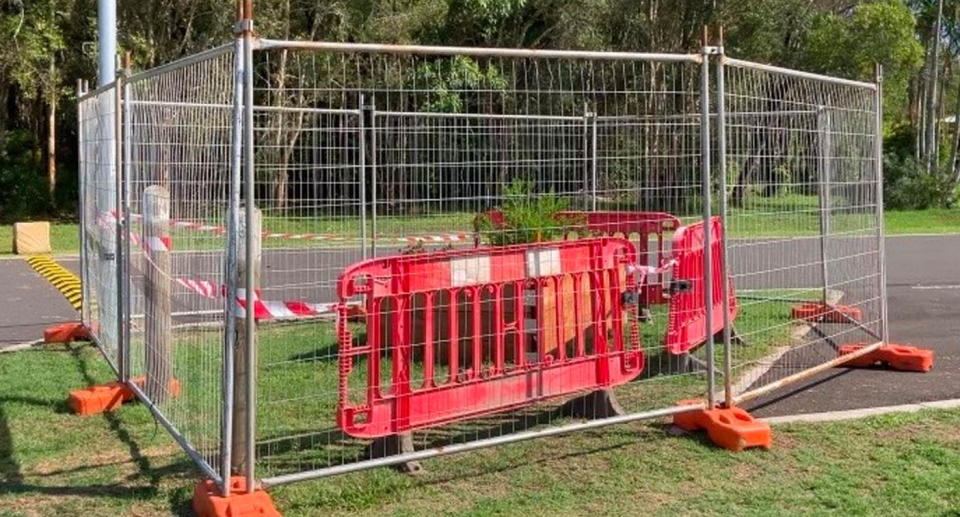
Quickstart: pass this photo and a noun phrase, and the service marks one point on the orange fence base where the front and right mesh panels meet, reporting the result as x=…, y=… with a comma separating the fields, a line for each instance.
x=731, y=428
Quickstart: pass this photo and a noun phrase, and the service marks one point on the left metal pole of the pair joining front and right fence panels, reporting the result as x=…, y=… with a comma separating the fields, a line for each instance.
x=705, y=186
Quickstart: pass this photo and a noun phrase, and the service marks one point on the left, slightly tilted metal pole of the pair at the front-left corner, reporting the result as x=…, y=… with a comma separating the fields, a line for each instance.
x=230, y=268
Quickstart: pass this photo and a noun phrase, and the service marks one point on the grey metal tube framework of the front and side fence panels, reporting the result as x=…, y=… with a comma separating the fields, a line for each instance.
x=240, y=215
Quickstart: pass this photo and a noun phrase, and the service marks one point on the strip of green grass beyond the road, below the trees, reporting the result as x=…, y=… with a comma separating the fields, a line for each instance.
x=787, y=216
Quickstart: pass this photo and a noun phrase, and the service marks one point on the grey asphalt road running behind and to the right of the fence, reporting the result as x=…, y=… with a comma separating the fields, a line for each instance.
x=923, y=287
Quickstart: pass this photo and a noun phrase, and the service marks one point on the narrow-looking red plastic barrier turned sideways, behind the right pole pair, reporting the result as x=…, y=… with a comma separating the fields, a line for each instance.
x=687, y=326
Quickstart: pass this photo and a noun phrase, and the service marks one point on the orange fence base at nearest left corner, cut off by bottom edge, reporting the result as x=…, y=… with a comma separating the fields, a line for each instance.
x=208, y=503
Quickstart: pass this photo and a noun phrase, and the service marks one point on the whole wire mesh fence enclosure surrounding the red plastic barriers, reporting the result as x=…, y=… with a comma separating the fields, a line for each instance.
x=426, y=250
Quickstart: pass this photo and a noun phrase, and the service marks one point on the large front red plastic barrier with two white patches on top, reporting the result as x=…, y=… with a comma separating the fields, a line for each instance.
x=467, y=332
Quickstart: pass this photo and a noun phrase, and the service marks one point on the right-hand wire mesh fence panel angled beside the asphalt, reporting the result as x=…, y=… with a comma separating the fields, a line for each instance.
x=803, y=220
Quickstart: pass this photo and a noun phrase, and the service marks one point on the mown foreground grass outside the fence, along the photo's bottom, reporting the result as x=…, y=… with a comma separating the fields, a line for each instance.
x=53, y=463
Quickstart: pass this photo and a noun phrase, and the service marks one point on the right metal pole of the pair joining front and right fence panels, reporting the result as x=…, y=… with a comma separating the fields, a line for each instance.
x=722, y=172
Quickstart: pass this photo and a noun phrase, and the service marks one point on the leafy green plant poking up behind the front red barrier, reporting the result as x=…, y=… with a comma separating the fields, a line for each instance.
x=525, y=216
